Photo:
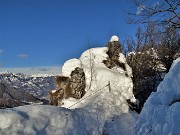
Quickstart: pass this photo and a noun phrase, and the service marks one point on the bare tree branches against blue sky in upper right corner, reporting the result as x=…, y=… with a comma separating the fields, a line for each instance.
x=165, y=12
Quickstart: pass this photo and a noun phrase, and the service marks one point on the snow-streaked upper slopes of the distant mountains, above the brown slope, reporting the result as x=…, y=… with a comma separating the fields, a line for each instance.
x=37, y=85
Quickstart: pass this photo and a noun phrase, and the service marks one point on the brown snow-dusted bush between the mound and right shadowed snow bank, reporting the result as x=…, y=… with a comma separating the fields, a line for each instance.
x=147, y=69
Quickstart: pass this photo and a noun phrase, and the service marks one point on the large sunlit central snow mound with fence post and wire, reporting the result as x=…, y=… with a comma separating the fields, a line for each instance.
x=106, y=89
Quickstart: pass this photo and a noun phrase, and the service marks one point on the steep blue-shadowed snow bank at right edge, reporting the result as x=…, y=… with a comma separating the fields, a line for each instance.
x=160, y=115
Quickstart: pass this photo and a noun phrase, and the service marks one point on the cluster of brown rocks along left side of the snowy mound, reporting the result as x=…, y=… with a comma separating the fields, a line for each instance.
x=68, y=87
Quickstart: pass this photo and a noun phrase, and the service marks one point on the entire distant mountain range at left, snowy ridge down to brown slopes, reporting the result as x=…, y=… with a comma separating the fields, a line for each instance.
x=20, y=89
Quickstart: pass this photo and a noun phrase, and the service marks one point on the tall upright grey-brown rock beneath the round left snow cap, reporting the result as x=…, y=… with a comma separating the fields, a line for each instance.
x=78, y=83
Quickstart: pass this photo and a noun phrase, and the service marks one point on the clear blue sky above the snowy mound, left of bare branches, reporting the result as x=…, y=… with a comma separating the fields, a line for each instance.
x=49, y=32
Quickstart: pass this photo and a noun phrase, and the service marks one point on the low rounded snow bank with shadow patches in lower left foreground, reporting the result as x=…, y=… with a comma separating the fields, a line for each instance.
x=41, y=120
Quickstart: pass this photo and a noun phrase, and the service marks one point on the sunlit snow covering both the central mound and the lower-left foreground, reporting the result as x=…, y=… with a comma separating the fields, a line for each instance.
x=103, y=109
